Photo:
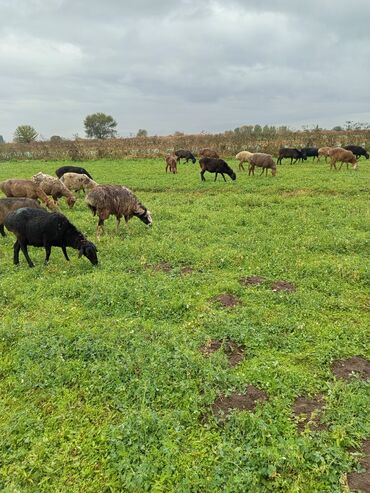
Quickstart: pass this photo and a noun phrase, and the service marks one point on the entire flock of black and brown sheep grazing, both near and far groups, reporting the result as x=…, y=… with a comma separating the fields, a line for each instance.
x=22, y=214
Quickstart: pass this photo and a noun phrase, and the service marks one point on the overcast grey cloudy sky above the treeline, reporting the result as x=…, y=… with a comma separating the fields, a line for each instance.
x=184, y=65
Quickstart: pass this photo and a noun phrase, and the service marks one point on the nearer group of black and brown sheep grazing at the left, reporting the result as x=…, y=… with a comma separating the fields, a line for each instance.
x=32, y=225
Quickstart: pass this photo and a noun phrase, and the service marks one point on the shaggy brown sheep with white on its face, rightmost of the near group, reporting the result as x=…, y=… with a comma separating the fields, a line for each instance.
x=117, y=200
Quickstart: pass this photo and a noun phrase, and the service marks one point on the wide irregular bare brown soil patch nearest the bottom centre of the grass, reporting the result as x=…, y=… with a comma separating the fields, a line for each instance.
x=224, y=405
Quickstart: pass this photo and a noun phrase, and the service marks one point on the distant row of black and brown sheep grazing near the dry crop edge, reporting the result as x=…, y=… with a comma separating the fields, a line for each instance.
x=210, y=160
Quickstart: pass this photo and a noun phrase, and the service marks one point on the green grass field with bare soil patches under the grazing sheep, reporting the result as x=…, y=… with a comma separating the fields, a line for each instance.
x=103, y=384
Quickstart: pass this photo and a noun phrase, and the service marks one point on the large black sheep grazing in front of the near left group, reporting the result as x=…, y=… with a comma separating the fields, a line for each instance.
x=37, y=227
